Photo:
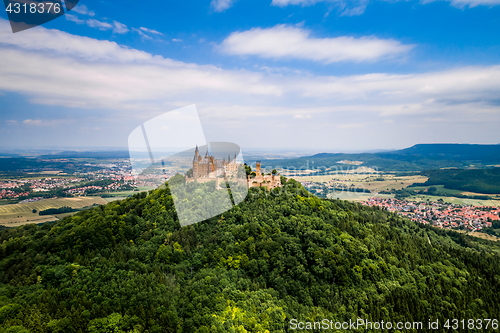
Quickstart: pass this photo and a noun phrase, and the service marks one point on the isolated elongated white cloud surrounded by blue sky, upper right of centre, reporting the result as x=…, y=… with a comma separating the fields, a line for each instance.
x=290, y=42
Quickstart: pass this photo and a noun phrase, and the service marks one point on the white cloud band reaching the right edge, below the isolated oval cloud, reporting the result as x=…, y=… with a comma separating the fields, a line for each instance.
x=454, y=86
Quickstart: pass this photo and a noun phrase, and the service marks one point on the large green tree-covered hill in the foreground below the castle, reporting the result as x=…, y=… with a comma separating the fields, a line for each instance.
x=129, y=267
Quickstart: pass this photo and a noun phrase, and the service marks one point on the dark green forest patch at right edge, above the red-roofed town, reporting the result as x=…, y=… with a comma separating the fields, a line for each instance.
x=473, y=180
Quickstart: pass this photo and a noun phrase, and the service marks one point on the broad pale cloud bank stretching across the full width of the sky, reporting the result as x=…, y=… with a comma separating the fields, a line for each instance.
x=51, y=67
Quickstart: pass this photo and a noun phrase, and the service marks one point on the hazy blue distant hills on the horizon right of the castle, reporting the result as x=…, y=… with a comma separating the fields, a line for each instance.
x=416, y=158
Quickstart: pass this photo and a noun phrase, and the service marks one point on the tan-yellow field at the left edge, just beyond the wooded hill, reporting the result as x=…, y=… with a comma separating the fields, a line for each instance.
x=18, y=214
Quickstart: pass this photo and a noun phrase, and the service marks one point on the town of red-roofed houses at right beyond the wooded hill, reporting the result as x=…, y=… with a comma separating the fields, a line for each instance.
x=440, y=214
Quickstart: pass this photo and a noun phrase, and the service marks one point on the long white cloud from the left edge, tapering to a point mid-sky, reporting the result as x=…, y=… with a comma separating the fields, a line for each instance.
x=57, y=68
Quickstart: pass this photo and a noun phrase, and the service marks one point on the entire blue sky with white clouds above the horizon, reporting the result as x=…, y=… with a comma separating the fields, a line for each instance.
x=324, y=75
